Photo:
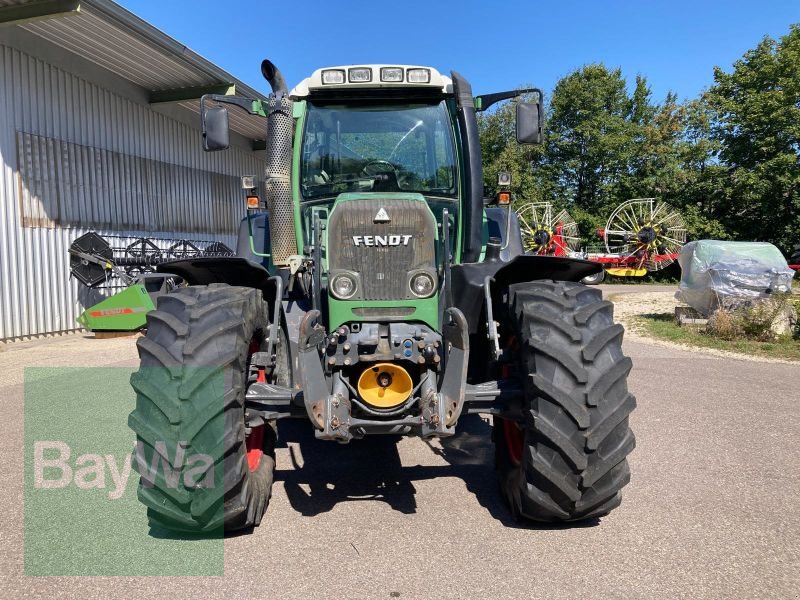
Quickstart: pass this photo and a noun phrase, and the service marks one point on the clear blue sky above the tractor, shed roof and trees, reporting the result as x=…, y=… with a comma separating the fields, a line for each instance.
x=496, y=45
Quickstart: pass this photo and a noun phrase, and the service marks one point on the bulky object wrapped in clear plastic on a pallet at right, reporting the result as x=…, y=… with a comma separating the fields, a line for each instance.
x=729, y=274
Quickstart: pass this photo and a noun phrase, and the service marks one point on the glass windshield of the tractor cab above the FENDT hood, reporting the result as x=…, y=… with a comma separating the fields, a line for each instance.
x=378, y=147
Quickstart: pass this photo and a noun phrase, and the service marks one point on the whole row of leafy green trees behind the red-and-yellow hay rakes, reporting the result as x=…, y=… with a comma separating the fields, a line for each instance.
x=729, y=160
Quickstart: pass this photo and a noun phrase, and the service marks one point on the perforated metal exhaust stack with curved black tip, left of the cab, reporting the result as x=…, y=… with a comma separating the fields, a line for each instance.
x=278, y=170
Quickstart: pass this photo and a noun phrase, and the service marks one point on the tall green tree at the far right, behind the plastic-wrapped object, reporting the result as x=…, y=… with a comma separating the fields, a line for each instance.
x=756, y=121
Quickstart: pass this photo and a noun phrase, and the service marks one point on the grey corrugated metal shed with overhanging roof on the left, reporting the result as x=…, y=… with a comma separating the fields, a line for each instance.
x=99, y=130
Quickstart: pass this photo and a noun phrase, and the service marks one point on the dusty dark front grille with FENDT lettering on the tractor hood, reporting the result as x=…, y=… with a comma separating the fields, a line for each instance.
x=383, y=269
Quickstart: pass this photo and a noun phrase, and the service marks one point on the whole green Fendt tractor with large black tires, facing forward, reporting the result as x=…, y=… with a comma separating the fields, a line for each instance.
x=379, y=293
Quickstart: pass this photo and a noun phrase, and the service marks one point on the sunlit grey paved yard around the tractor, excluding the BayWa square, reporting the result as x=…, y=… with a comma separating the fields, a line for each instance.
x=713, y=510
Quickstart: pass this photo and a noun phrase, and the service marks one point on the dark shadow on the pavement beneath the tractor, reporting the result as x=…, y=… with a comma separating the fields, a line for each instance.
x=371, y=470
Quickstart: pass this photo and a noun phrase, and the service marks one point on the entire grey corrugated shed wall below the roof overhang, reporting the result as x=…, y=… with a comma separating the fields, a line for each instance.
x=51, y=108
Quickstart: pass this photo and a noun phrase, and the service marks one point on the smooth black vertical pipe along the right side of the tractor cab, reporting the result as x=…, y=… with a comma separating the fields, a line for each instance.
x=468, y=124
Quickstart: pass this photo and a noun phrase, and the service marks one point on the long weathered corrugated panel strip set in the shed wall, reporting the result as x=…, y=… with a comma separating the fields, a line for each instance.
x=81, y=186
